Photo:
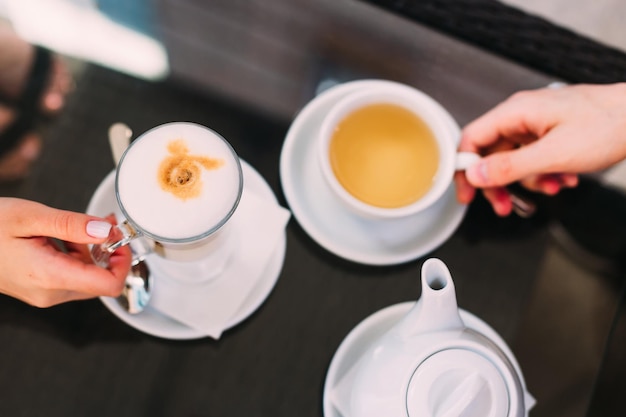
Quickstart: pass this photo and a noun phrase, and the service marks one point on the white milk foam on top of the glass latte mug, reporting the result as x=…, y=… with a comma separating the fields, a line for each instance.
x=162, y=214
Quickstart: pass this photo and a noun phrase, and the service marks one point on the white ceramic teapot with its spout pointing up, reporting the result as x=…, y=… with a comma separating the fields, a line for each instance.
x=436, y=361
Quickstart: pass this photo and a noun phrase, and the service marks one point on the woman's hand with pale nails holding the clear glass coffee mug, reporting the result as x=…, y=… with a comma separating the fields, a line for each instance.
x=34, y=268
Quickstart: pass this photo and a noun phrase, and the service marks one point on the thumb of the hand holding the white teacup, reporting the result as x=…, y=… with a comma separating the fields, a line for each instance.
x=505, y=167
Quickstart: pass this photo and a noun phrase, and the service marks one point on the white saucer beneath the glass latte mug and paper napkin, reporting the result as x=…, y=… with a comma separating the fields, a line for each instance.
x=153, y=322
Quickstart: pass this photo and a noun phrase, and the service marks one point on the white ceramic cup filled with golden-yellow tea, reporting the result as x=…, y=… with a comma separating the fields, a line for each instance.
x=389, y=151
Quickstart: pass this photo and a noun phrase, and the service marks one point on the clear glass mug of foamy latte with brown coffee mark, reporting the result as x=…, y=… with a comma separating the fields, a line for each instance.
x=176, y=185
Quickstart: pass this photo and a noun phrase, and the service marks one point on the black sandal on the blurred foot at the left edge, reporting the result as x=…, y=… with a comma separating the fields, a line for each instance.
x=28, y=104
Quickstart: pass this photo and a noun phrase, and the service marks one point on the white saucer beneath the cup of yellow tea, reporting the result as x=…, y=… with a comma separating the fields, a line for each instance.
x=335, y=228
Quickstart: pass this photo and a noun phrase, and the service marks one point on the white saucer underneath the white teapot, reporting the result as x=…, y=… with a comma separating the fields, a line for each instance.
x=373, y=327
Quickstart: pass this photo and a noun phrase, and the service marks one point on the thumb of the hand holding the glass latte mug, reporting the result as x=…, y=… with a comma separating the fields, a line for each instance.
x=65, y=225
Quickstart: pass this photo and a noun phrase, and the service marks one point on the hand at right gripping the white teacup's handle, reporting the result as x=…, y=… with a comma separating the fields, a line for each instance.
x=543, y=139
